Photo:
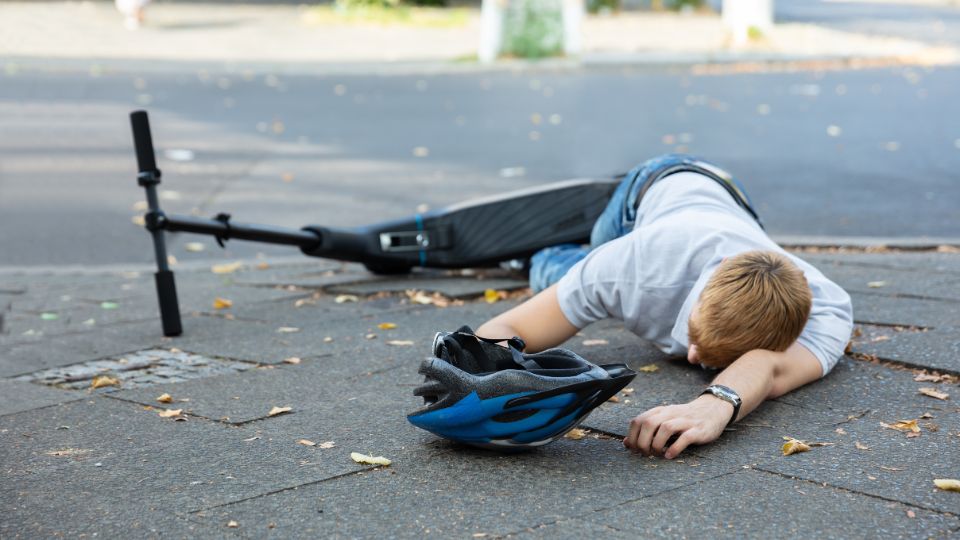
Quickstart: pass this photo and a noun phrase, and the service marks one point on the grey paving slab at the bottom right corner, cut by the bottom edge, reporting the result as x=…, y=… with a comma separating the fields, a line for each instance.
x=757, y=504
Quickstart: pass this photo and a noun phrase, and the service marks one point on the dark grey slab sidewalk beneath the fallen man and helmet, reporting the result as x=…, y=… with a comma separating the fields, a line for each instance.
x=82, y=461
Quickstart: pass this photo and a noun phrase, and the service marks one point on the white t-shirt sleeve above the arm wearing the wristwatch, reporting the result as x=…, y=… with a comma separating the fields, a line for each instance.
x=830, y=325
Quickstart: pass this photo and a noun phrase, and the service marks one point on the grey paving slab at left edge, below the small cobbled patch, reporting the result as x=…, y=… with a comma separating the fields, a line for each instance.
x=135, y=457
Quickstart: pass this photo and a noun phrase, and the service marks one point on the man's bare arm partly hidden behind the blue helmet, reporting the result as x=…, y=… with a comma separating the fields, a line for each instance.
x=539, y=321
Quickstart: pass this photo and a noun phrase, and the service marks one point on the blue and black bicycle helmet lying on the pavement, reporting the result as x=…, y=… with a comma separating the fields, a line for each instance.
x=482, y=394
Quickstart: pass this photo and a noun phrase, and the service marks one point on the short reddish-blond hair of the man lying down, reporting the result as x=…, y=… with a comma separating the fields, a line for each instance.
x=755, y=300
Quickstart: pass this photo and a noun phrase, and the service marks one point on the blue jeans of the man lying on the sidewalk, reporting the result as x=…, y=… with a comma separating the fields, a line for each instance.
x=550, y=264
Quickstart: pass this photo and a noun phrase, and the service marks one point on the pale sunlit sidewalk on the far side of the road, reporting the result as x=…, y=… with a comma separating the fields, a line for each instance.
x=90, y=33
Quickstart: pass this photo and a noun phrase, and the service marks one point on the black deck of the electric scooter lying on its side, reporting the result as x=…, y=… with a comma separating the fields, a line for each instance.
x=479, y=232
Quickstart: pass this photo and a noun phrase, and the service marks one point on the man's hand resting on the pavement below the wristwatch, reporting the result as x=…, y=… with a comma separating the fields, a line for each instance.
x=667, y=431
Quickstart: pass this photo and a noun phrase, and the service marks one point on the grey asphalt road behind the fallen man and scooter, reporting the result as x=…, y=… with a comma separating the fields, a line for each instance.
x=861, y=153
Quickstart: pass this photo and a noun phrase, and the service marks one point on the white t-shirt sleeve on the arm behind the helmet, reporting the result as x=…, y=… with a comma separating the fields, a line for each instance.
x=591, y=289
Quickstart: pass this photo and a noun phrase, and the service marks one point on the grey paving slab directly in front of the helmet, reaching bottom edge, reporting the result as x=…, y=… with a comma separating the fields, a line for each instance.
x=464, y=492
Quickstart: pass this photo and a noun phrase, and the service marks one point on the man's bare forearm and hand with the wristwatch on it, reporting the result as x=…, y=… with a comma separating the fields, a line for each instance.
x=756, y=376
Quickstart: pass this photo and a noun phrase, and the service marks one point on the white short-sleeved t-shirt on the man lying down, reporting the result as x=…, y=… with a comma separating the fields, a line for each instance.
x=652, y=277
